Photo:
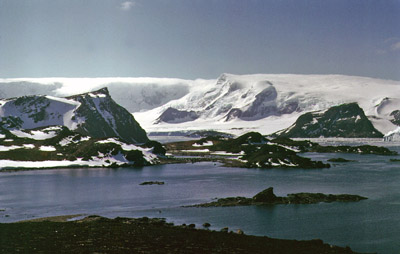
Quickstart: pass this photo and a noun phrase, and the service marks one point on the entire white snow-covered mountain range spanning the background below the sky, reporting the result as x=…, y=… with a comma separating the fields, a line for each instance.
x=232, y=103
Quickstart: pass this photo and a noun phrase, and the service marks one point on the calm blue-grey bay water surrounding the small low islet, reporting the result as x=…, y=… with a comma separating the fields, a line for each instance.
x=371, y=225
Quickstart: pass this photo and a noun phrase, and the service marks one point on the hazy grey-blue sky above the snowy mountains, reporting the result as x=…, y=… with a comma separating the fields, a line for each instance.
x=198, y=38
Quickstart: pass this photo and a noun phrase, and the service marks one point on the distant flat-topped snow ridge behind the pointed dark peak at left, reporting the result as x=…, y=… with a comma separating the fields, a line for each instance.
x=134, y=94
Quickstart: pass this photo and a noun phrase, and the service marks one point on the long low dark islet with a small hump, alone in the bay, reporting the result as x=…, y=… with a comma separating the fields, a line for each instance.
x=267, y=197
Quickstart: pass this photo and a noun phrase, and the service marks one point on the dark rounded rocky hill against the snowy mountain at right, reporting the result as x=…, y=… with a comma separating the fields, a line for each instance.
x=346, y=120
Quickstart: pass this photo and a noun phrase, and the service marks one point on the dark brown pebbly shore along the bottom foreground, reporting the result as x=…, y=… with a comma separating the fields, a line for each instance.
x=94, y=234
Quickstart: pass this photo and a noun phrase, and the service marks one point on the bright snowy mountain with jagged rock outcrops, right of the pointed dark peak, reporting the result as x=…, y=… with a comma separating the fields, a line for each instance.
x=284, y=98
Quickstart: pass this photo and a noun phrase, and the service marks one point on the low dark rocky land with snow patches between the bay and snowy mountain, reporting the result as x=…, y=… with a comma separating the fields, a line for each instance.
x=253, y=150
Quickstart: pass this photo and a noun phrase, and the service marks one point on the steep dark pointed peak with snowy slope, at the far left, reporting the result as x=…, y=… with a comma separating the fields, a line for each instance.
x=94, y=114
